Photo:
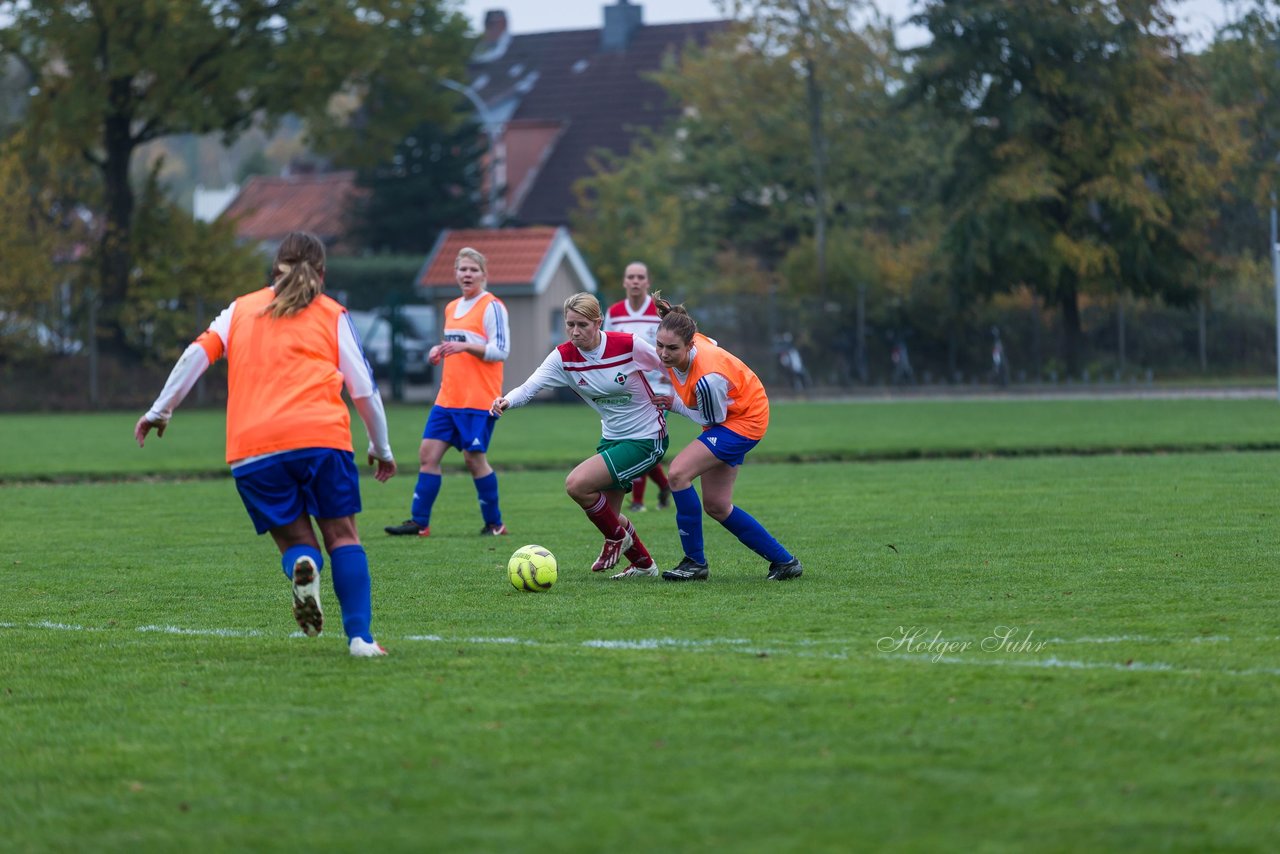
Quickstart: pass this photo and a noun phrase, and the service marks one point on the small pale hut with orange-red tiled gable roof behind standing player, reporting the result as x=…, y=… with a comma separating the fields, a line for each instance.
x=533, y=271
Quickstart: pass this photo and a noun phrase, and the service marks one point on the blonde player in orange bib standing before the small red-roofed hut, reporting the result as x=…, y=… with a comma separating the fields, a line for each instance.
x=476, y=345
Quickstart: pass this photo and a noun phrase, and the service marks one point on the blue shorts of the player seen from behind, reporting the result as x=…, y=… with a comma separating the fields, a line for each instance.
x=321, y=482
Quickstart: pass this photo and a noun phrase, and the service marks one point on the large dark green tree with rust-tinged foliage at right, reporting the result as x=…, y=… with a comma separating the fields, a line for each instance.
x=1089, y=161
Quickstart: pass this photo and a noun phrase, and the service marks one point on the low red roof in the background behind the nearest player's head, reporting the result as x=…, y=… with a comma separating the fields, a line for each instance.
x=271, y=207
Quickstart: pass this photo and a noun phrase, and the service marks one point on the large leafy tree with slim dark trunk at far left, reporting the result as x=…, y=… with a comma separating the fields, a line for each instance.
x=115, y=75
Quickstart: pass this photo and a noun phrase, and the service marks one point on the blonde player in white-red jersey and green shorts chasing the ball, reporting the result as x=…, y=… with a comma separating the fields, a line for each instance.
x=607, y=371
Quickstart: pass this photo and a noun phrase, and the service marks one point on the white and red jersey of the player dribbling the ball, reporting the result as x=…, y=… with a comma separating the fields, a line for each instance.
x=611, y=380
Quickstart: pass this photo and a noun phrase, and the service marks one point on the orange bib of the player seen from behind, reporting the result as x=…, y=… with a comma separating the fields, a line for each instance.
x=284, y=385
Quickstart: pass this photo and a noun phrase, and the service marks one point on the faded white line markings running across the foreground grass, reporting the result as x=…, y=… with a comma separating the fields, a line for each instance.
x=746, y=647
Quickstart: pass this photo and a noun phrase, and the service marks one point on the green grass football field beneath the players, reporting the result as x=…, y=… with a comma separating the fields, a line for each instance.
x=1017, y=641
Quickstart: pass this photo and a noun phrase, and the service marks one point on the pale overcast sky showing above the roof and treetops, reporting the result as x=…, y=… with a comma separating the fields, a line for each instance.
x=1200, y=17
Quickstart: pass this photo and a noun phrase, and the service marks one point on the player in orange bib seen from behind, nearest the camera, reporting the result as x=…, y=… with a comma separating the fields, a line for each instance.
x=291, y=351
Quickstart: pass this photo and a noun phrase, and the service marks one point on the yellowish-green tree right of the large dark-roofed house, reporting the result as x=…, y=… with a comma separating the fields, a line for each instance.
x=790, y=138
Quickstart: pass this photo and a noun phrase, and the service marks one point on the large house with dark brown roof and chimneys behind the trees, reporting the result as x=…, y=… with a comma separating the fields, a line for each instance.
x=560, y=97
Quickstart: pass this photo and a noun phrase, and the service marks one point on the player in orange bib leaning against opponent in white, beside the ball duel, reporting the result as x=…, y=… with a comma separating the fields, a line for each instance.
x=716, y=390
